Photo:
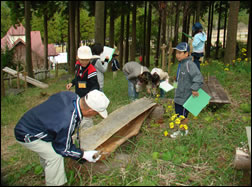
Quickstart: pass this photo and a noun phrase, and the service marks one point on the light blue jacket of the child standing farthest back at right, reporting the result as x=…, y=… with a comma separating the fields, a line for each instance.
x=199, y=42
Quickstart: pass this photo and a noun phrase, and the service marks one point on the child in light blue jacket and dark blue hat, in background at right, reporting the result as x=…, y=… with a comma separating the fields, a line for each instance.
x=199, y=39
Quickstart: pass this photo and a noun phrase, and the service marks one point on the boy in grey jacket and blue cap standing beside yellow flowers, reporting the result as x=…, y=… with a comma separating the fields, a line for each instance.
x=189, y=80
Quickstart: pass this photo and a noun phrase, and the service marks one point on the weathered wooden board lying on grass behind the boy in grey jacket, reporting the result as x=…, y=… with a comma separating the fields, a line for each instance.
x=213, y=88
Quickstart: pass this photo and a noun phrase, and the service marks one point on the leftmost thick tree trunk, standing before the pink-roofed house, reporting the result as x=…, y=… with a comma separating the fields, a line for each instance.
x=28, y=56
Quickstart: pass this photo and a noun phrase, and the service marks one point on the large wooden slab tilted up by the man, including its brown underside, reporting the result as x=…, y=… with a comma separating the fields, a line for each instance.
x=121, y=119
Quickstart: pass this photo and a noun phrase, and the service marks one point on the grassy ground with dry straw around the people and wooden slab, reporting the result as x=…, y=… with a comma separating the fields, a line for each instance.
x=203, y=157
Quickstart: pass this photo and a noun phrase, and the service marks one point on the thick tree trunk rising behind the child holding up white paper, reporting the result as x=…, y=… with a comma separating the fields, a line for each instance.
x=99, y=22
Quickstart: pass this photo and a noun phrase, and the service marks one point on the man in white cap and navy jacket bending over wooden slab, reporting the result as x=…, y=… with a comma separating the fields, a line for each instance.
x=47, y=129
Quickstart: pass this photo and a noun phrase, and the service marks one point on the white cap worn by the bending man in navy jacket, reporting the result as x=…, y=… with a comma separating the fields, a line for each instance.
x=97, y=101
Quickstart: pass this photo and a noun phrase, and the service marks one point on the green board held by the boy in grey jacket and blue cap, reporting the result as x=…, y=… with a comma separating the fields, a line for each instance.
x=196, y=104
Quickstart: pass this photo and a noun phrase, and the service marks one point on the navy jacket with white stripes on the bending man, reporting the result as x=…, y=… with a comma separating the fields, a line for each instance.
x=54, y=120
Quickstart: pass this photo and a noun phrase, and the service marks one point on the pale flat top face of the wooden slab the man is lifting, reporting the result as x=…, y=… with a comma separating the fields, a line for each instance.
x=94, y=136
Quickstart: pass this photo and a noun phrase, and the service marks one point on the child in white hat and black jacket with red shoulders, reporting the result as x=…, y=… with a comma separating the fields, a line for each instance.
x=85, y=73
